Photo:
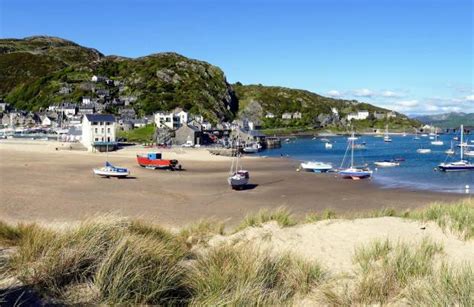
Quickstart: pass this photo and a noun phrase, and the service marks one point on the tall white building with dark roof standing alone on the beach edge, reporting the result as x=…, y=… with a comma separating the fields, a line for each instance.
x=98, y=132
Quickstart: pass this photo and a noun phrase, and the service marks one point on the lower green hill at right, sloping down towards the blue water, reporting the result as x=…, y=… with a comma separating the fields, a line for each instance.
x=256, y=101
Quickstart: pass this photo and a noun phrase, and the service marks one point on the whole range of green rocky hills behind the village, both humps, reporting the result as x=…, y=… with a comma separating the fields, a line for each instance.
x=38, y=71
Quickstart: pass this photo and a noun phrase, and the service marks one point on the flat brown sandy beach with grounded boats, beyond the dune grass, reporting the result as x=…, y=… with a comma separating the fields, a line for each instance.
x=40, y=183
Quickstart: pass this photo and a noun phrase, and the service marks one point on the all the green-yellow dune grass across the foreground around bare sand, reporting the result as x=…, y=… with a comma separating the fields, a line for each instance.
x=109, y=260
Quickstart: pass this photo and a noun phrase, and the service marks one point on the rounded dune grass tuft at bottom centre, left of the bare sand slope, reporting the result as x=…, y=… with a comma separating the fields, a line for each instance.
x=230, y=275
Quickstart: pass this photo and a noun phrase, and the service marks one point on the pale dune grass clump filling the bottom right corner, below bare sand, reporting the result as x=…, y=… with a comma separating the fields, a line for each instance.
x=388, y=273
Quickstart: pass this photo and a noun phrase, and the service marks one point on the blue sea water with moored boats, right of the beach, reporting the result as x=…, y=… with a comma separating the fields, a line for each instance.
x=417, y=172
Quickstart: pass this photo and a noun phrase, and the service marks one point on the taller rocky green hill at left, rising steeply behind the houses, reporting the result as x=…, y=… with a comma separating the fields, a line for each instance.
x=33, y=72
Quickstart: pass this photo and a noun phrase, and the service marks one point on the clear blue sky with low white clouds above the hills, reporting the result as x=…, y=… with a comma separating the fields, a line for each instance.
x=413, y=56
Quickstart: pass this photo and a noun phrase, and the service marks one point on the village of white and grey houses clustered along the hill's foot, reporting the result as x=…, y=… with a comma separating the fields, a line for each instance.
x=97, y=120
